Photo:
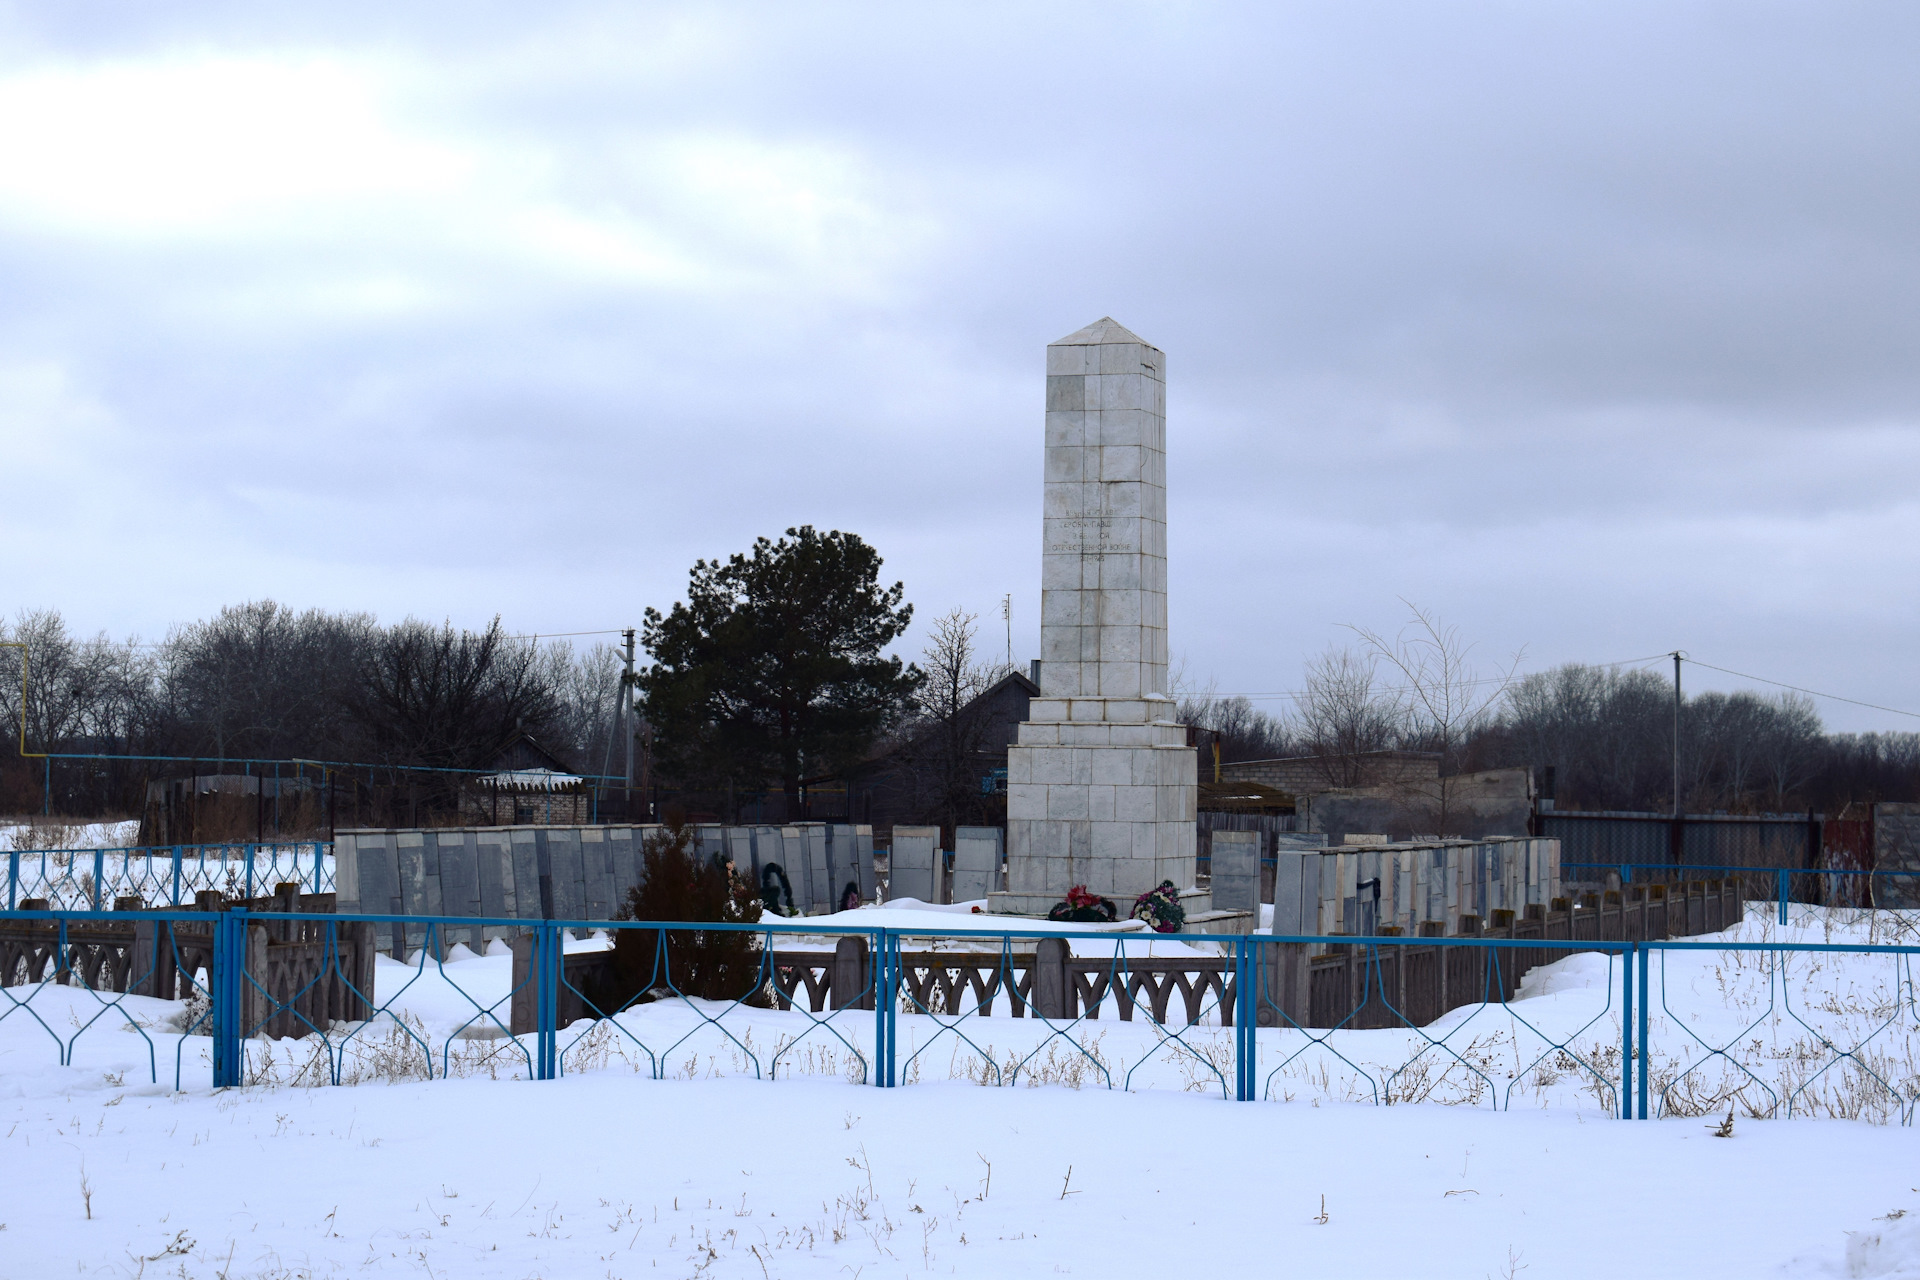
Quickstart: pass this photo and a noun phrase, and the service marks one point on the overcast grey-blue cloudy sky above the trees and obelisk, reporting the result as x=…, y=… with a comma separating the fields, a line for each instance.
x=1591, y=327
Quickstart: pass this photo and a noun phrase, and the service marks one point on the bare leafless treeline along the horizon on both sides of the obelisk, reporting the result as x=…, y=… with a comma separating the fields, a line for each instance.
x=272, y=684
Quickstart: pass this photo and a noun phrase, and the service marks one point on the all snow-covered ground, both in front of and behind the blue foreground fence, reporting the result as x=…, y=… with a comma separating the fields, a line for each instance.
x=715, y=1172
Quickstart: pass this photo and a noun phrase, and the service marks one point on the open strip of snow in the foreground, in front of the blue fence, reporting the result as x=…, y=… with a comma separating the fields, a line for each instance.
x=613, y=1175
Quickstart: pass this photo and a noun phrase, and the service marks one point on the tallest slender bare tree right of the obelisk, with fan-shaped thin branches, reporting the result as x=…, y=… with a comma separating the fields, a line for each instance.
x=1445, y=696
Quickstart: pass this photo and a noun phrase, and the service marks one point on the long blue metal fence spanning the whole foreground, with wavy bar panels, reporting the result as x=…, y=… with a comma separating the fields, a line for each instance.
x=888, y=1003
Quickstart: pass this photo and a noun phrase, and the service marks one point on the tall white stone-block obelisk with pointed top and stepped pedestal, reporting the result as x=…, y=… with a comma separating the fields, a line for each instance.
x=1101, y=782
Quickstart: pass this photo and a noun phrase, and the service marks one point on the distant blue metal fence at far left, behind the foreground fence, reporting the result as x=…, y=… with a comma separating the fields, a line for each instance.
x=89, y=880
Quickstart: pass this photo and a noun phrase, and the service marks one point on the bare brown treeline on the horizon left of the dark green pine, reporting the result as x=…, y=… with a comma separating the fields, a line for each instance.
x=272, y=684
